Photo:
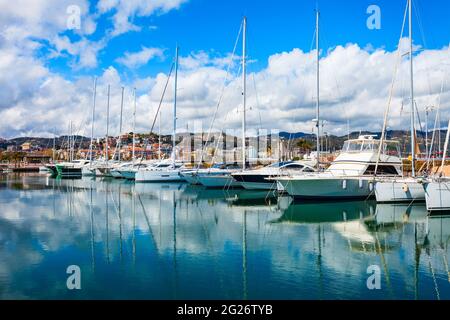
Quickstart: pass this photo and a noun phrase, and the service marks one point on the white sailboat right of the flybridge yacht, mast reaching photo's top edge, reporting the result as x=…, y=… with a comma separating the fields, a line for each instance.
x=403, y=189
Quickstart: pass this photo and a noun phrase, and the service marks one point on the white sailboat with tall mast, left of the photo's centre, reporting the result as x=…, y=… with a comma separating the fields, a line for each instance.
x=165, y=172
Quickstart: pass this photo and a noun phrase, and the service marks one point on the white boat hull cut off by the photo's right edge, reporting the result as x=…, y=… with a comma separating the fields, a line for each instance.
x=437, y=195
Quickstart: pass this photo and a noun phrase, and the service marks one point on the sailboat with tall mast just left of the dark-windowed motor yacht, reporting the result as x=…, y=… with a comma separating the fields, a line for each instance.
x=221, y=177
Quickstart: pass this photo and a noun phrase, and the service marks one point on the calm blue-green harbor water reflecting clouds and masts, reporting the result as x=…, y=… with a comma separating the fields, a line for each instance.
x=175, y=241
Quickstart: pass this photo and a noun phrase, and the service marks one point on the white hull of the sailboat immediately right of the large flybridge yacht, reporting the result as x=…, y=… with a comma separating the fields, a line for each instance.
x=407, y=190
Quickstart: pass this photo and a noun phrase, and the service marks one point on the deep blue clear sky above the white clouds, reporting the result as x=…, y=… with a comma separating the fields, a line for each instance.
x=273, y=26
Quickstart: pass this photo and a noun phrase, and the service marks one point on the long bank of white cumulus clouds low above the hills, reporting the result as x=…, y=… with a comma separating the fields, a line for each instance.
x=354, y=86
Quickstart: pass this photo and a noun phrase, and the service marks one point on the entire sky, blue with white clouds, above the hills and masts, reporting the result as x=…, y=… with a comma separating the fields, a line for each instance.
x=51, y=51
